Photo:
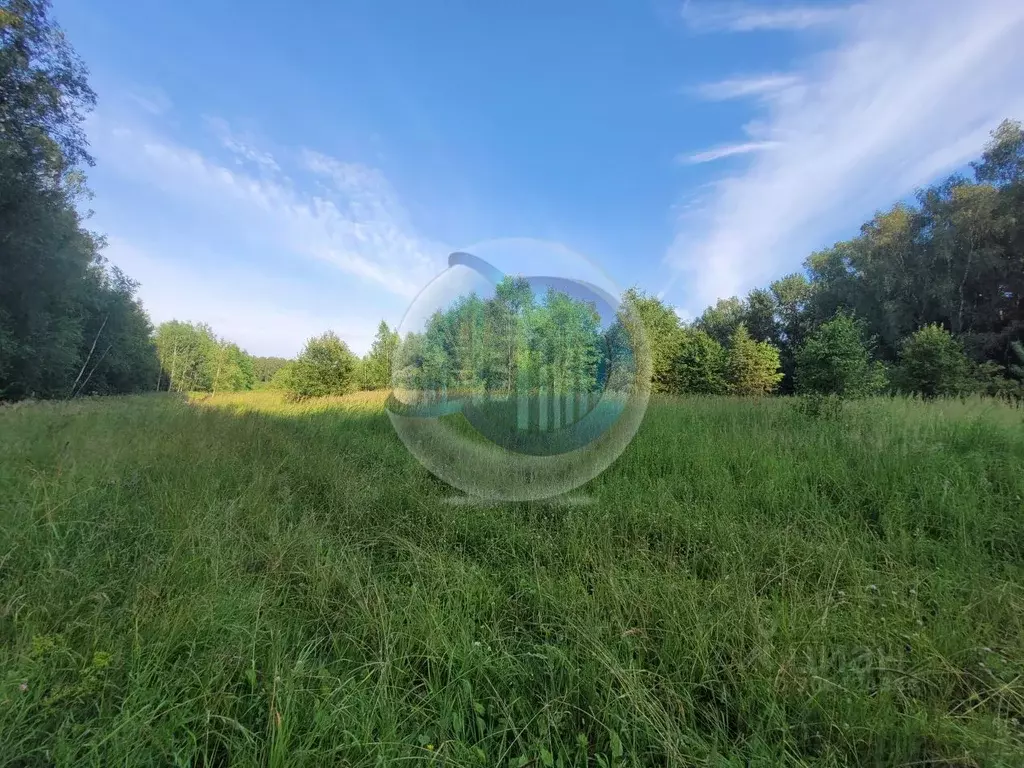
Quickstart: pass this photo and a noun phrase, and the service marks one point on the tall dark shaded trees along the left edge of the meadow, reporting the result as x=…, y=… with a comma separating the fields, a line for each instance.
x=69, y=324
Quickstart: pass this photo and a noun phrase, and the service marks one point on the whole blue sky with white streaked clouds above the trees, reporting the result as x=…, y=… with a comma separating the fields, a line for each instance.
x=278, y=169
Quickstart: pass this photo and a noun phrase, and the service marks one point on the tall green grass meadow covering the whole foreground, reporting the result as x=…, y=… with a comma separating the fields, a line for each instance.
x=236, y=581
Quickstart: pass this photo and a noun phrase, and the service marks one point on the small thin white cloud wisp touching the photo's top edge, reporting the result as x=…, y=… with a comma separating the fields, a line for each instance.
x=713, y=17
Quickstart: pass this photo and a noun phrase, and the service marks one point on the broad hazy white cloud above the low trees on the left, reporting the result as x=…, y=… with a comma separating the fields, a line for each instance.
x=294, y=210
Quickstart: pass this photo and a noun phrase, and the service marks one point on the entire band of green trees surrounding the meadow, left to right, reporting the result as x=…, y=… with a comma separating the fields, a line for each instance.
x=929, y=298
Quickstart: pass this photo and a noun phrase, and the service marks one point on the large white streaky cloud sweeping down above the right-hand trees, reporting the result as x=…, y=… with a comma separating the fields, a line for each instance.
x=908, y=92
